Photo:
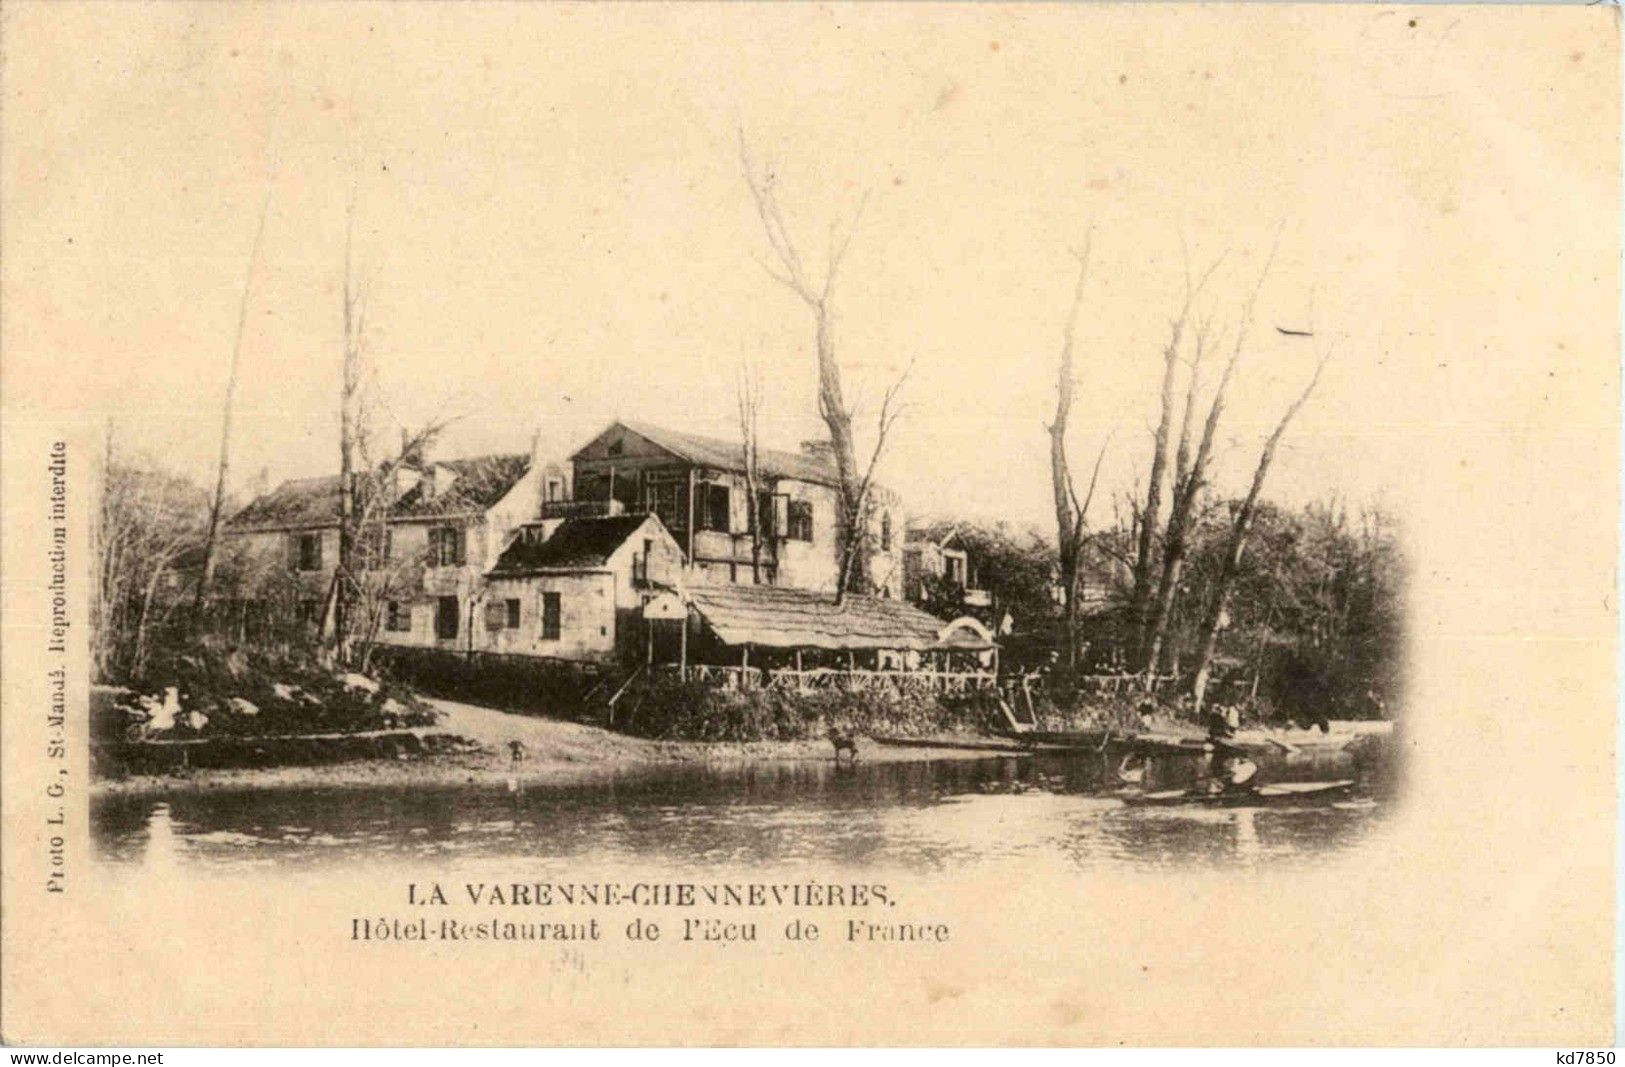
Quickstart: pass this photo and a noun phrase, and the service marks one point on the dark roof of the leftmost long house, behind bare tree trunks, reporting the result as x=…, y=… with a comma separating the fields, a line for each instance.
x=479, y=485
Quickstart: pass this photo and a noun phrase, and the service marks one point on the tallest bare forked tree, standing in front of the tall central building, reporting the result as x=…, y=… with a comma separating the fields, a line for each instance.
x=789, y=270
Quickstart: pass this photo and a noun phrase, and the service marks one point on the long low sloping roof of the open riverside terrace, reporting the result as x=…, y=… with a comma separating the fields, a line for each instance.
x=781, y=618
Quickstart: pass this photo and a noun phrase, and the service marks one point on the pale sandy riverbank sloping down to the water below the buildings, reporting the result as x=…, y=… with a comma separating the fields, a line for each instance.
x=557, y=753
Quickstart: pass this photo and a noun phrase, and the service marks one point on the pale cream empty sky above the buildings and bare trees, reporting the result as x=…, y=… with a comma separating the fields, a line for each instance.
x=552, y=225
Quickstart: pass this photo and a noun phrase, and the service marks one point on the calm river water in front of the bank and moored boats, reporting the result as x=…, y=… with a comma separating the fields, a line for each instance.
x=917, y=816
